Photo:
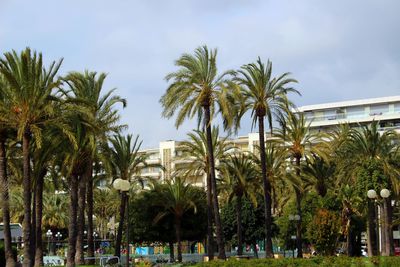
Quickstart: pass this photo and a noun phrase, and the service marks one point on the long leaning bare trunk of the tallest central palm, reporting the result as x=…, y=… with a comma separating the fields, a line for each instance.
x=218, y=225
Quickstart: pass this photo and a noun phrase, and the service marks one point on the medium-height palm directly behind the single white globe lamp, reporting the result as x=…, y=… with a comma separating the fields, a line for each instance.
x=125, y=162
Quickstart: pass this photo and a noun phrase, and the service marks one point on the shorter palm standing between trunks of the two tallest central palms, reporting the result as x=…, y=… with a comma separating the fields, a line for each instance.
x=239, y=179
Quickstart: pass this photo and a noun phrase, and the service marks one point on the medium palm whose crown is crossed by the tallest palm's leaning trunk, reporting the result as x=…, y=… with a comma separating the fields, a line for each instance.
x=194, y=151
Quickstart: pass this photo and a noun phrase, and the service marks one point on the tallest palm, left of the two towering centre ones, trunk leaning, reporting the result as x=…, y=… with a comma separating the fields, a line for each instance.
x=197, y=90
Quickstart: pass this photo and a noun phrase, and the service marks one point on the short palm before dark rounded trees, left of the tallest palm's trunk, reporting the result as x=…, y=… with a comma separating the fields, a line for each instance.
x=176, y=197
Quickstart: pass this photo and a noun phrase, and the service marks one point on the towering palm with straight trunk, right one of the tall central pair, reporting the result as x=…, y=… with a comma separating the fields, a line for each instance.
x=265, y=96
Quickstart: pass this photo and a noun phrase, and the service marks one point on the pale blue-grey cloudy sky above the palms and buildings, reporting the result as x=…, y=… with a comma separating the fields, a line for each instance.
x=337, y=50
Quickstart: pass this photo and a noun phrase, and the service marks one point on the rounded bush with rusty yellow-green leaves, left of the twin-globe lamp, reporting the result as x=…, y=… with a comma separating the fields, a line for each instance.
x=325, y=231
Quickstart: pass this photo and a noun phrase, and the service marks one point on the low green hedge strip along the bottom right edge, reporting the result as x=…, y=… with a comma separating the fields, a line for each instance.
x=313, y=262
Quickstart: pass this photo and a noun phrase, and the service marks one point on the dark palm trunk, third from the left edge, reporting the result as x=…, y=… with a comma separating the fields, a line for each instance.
x=39, y=213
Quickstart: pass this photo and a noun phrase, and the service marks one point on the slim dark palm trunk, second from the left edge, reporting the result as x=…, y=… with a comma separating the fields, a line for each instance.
x=27, y=199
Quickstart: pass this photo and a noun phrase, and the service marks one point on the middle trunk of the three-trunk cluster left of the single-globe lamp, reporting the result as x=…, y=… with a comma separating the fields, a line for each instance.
x=79, y=257
